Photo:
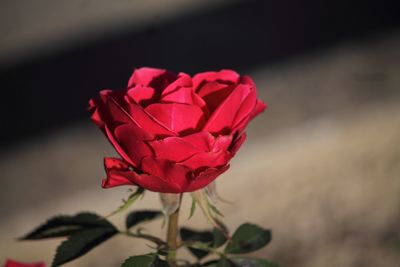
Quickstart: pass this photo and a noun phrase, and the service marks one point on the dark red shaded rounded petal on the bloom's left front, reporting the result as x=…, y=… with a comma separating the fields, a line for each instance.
x=131, y=139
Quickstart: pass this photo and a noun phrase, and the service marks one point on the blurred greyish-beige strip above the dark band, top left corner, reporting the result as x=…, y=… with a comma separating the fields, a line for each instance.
x=26, y=31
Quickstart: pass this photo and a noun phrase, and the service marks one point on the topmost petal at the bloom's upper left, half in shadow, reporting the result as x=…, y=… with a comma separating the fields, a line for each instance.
x=156, y=78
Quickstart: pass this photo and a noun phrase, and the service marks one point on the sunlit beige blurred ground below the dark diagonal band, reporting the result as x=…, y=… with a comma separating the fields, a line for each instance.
x=321, y=168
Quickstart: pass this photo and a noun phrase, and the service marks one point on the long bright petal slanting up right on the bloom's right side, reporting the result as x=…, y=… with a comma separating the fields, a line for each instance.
x=222, y=118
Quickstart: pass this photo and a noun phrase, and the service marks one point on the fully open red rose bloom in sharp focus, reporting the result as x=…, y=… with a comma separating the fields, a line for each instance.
x=174, y=133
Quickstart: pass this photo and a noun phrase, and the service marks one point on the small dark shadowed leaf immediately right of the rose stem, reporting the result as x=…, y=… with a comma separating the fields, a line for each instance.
x=199, y=236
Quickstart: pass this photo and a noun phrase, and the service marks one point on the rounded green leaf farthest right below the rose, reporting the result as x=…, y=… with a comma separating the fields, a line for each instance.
x=248, y=238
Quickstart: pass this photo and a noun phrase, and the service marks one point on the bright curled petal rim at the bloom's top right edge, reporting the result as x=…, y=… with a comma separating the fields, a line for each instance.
x=223, y=76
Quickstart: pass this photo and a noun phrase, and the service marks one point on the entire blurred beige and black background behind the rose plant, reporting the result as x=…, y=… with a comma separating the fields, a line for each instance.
x=321, y=166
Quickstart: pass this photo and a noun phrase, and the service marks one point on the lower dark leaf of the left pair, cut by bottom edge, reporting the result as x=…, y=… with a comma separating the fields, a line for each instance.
x=80, y=243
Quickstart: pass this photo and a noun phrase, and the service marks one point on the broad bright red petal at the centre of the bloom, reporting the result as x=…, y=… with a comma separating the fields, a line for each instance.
x=177, y=117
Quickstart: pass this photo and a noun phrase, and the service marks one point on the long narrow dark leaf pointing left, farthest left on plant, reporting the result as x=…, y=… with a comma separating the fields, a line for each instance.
x=65, y=225
